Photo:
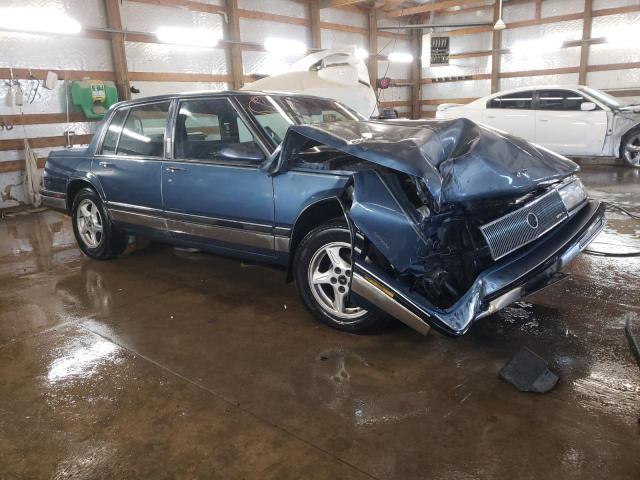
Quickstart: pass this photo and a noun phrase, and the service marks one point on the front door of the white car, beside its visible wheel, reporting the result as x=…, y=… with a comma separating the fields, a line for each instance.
x=564, y=127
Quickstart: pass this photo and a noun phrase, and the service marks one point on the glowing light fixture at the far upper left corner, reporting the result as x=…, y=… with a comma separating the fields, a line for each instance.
x=37, y=20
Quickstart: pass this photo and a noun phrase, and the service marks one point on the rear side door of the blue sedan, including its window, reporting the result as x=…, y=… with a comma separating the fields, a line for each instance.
x=129, y=164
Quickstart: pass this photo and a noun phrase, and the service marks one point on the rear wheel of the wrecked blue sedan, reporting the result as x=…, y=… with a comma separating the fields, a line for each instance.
x=97, y=237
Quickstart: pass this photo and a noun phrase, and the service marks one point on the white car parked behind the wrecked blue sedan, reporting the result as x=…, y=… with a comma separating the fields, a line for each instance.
x=570, y=120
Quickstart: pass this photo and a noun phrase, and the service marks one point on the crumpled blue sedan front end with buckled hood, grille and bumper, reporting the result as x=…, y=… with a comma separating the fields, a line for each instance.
x=451, y=221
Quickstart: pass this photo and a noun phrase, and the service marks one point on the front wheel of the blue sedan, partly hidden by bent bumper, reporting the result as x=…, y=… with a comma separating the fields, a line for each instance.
x=322, y=269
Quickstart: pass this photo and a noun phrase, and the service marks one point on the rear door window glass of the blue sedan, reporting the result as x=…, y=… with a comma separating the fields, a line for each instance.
x=143, y=132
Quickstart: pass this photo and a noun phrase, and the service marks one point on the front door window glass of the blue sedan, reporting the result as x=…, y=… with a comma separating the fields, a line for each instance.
x=205, y=127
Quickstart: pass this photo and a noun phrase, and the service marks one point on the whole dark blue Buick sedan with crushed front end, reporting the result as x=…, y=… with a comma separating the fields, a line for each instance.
x=434, y=223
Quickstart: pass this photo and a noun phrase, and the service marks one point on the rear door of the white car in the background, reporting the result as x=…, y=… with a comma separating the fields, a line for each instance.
x=512, y=113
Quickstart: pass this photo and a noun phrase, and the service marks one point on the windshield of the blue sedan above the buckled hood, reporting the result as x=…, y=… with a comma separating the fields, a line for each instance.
x=275, y=117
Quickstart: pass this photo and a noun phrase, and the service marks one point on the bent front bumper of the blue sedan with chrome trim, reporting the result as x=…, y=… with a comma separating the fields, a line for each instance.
x=516, y=276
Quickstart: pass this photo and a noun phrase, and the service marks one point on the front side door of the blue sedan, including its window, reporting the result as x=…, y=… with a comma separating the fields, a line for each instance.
x=214, y=191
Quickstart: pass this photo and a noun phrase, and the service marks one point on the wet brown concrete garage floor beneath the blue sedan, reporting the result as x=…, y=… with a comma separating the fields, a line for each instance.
x=166, y=364
